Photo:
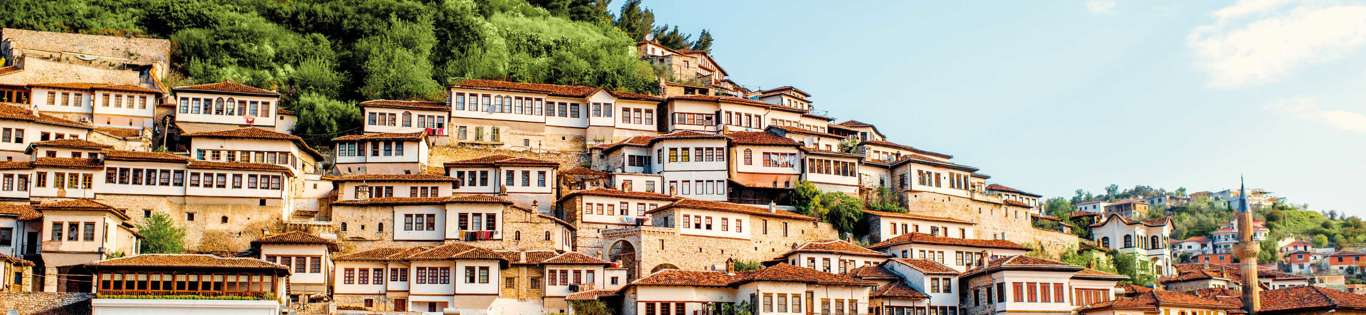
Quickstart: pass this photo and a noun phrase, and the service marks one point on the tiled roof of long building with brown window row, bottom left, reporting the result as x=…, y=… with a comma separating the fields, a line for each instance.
x=197, y=261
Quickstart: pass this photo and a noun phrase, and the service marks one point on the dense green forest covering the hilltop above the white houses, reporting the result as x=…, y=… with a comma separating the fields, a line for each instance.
x=324, y=57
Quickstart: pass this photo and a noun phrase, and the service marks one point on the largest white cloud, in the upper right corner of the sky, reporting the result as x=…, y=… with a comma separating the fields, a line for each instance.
x=1262, y=42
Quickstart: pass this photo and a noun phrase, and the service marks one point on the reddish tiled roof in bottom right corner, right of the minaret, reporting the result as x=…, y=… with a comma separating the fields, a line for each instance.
x=1304, y=299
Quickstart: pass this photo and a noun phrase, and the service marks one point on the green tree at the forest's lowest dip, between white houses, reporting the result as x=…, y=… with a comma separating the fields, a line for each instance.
x=323, y=119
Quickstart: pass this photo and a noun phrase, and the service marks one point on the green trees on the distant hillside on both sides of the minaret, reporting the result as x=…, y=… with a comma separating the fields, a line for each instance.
x=1204, y=216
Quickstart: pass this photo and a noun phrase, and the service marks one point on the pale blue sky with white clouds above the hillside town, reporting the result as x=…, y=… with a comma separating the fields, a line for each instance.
x=1057, y=96
